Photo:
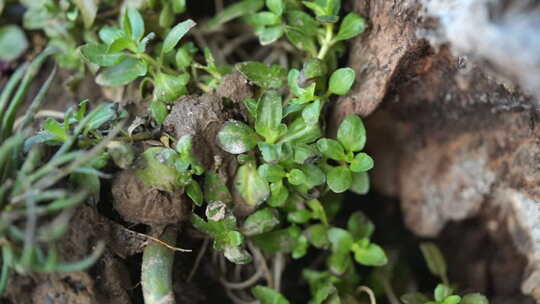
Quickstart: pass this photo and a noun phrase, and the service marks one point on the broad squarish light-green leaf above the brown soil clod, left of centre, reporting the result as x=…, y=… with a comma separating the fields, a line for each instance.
x=168, y=88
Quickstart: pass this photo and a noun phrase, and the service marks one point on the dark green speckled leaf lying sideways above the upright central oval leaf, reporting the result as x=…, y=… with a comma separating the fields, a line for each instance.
x=270, y=77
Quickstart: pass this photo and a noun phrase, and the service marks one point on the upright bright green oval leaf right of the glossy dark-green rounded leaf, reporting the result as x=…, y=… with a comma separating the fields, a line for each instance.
x=269, y=114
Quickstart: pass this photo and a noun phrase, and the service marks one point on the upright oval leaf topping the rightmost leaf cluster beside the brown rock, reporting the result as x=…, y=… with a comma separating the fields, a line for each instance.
x=352, y=133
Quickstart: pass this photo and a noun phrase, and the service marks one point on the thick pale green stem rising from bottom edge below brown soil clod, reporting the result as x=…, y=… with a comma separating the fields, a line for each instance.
x=156, y=276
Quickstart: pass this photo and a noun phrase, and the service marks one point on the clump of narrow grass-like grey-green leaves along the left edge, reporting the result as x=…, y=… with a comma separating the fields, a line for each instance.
x=36, y=195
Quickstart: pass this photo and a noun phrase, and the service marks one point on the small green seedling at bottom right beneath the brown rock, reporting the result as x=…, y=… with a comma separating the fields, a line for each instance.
x=444, y=293
